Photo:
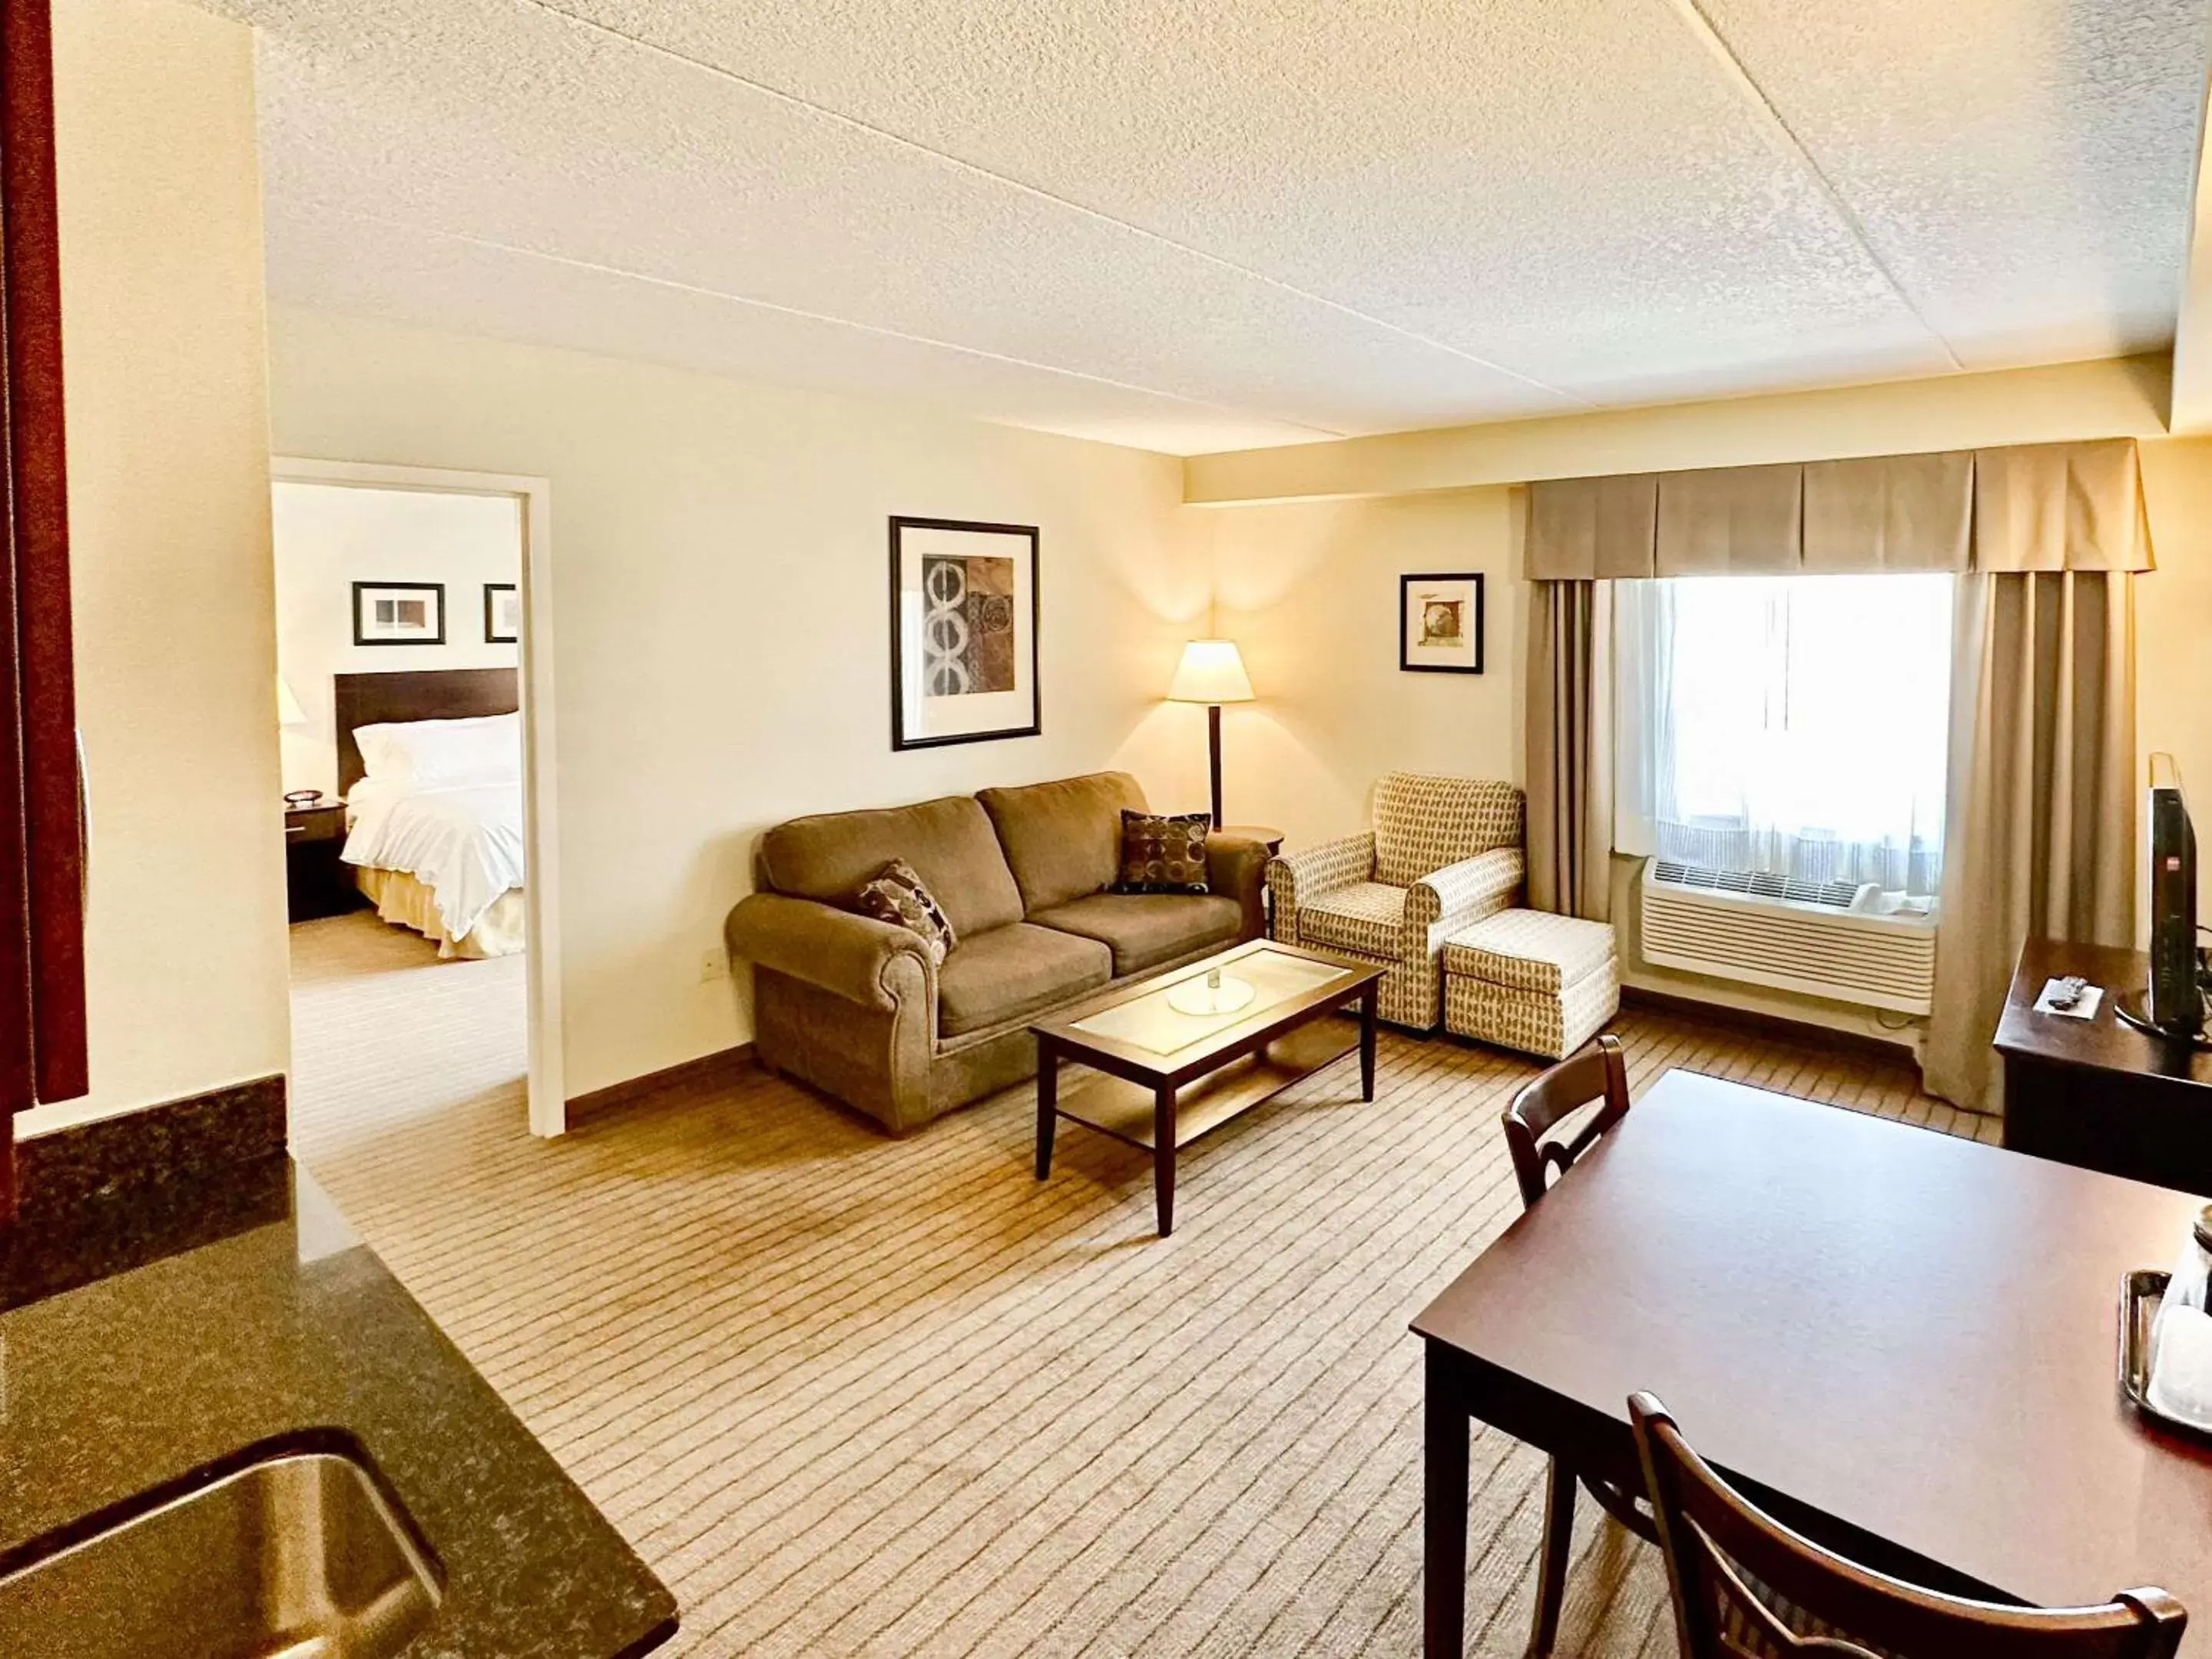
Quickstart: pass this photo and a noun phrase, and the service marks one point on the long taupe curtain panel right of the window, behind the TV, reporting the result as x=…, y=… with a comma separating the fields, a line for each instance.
x=2041, y=826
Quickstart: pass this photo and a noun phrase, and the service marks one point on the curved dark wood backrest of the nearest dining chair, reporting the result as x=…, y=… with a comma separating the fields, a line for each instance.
x=1746, y=1587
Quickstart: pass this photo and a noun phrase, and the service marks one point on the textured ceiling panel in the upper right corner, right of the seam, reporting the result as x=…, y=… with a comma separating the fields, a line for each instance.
x=2023, y=167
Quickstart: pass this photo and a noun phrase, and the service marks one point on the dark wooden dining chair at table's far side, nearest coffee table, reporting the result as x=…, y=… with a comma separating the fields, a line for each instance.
x=1596, y=1076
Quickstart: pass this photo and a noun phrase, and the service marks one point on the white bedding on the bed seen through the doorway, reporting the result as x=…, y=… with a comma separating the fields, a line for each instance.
x=463, y=844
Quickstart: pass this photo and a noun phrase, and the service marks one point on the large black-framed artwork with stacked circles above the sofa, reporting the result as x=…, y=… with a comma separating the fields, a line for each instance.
x=963, y=632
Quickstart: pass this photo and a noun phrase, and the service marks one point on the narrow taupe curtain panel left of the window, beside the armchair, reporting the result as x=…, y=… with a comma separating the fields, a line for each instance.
x=1572, y=749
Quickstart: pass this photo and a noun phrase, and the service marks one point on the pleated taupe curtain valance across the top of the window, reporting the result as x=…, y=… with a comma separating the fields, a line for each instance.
x=2032, y=508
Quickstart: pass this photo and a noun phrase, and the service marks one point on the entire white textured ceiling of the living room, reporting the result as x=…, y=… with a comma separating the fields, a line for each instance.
x=1211, y=227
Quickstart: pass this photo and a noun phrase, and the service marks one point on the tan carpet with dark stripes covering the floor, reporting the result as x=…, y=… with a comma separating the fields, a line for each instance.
x=866, y=1397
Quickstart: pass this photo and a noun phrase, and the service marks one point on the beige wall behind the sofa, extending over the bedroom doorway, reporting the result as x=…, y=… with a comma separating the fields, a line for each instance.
x=722, y=629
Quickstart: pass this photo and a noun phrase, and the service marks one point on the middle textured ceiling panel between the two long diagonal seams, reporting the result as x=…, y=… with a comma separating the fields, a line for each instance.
x=1563, y=187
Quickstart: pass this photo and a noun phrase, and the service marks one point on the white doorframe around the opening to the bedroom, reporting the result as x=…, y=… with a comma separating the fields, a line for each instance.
x=541, y=833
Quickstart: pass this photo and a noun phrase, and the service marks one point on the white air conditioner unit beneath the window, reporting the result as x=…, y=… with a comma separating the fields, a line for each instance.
x=1817, y=939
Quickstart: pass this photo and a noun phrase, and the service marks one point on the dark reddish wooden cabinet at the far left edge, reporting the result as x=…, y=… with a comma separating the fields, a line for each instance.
x=43, y=824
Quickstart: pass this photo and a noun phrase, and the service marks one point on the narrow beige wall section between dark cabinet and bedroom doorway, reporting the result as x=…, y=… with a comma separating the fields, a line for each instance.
x=171, y=550
